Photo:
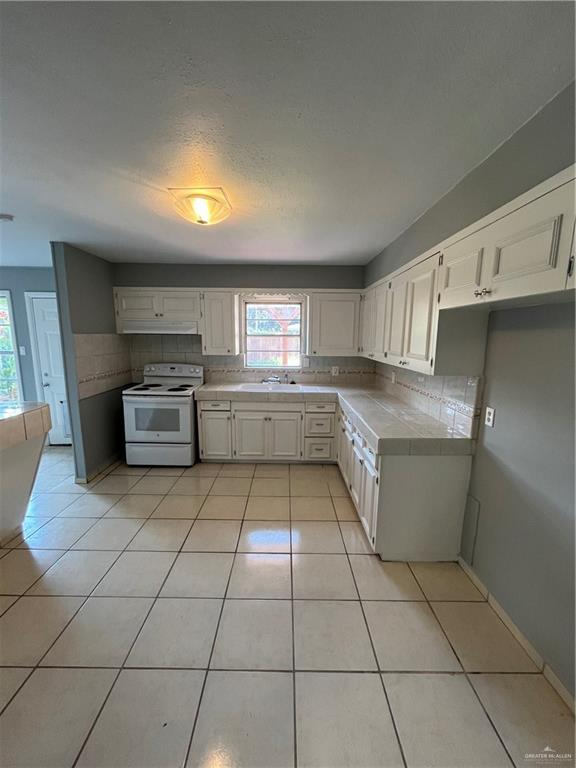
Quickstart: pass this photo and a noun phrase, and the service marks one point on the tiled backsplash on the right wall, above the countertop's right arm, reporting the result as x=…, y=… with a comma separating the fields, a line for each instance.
x=454, y=400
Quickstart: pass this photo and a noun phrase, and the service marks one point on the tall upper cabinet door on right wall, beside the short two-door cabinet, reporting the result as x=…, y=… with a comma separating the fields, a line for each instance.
x=421, y=291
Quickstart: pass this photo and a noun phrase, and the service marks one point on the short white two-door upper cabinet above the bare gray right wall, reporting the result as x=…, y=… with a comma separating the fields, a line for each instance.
x=525, y=253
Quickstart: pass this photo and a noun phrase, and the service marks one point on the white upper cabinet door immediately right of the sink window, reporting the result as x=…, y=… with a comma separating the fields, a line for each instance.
x=334, y=324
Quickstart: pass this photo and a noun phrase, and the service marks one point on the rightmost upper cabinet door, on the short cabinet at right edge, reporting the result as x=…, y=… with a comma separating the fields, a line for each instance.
x=528, y=251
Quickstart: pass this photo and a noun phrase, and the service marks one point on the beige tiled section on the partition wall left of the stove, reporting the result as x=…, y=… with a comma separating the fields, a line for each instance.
x=102, y=362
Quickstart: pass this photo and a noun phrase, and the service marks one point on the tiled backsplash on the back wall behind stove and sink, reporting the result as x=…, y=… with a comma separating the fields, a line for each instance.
x=220, y=370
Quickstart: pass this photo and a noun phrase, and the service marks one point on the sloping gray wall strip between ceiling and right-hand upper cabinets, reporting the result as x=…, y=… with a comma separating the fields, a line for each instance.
x=541, y=148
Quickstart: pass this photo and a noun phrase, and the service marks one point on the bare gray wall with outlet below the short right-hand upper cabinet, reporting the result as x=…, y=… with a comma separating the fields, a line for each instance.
x=523, y=478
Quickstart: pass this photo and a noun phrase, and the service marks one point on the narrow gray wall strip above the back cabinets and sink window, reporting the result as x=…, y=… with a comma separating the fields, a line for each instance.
x=238, y=276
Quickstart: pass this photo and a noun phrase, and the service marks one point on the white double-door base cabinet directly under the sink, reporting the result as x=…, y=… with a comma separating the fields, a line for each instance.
x=265, y=434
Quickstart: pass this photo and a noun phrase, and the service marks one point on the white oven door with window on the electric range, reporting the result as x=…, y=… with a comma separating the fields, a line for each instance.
x=157, y=420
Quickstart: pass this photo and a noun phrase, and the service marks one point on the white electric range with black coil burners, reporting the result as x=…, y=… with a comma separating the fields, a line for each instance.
x=159, y=423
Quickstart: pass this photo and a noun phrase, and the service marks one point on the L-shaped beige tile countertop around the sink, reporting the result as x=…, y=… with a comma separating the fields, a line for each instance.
x=389, y=425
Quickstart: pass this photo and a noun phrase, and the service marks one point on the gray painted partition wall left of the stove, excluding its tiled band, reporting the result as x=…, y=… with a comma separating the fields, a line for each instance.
x=84, y=288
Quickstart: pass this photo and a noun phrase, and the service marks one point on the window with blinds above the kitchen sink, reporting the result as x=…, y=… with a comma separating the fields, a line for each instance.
x=273, y=333
